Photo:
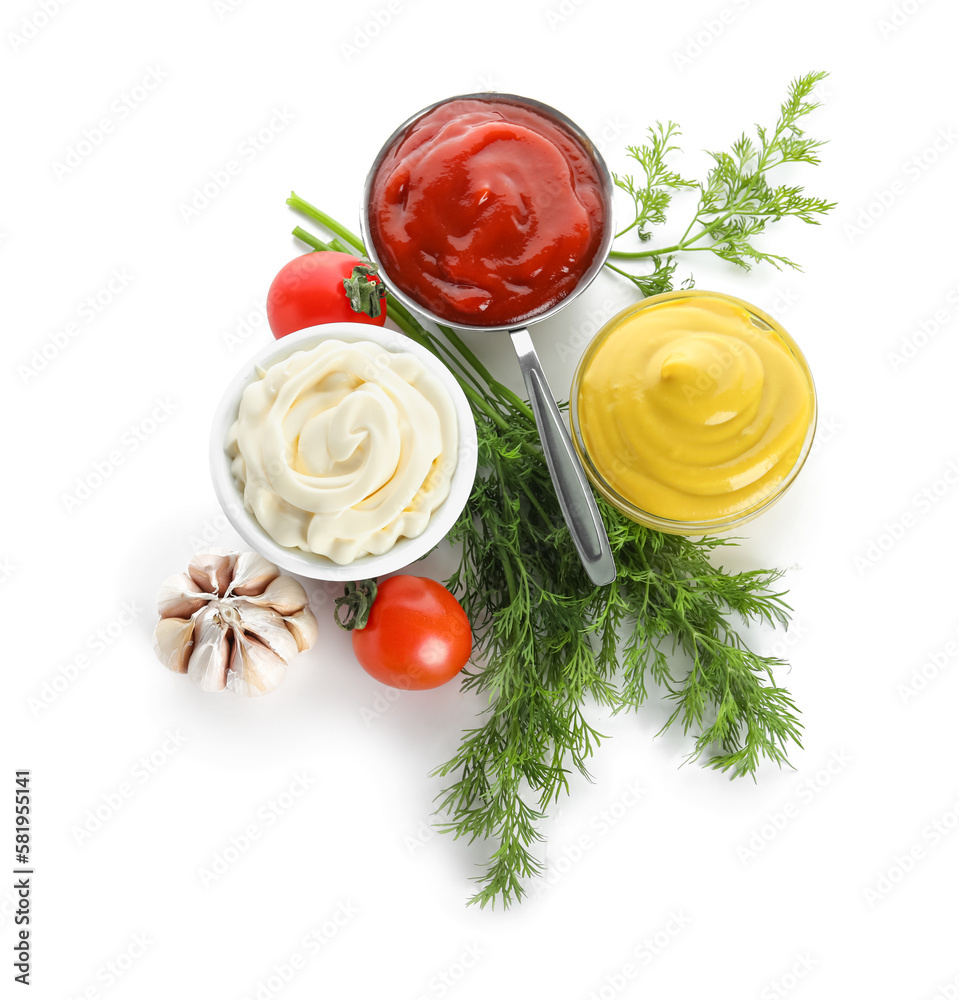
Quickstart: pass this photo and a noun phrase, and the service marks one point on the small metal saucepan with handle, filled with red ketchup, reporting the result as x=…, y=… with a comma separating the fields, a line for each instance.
x=490, y=212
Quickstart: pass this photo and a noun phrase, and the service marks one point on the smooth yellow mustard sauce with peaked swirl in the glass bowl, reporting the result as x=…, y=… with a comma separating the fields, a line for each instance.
x=693, y=408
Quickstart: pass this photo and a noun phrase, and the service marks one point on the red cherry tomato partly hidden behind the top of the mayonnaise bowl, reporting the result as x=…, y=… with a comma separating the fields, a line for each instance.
x=309, y=291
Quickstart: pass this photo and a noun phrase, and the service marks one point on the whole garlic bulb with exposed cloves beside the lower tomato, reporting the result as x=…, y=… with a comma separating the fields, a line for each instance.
x=231, y=621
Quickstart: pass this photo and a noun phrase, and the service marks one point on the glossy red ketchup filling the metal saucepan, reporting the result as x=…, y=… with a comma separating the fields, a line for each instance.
x=486, y=212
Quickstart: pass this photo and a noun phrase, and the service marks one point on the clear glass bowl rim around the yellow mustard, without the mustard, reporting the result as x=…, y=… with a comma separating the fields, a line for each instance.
x=759, y=321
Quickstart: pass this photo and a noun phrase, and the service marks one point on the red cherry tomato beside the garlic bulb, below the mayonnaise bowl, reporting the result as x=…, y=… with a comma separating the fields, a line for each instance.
x=417, y=635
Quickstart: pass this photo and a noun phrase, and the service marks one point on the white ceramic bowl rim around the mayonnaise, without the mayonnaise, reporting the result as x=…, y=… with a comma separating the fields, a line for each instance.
x=308, y=564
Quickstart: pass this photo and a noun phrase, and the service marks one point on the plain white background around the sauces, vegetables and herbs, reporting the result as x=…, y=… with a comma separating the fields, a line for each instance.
x=852, y=894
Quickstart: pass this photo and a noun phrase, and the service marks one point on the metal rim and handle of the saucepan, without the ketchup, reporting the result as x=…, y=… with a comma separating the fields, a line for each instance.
x=572, y=487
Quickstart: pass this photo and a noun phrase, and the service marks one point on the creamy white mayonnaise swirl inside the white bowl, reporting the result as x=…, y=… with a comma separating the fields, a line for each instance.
x=344, y=448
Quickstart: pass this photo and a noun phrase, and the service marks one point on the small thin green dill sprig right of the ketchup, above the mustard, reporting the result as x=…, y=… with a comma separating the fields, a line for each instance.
x=736, y=201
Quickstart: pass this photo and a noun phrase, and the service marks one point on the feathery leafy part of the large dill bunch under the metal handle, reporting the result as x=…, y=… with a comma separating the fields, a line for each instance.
x=549, y=643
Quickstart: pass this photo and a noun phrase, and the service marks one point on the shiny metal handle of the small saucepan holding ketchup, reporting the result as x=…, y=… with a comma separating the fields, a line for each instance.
x=572, y=487
